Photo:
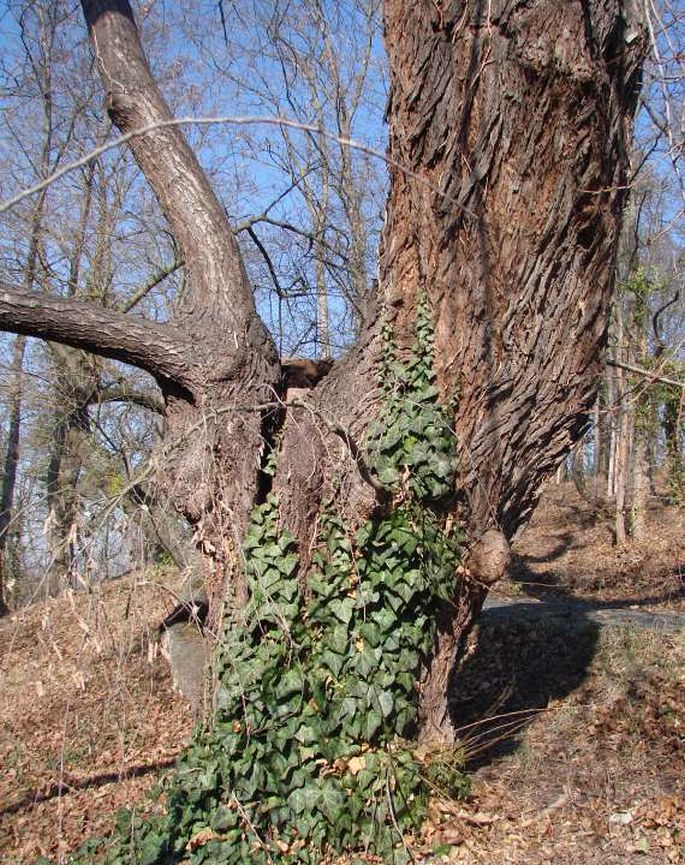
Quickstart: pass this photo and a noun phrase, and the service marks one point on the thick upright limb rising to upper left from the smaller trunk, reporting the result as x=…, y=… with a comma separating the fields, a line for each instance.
x=218, y=289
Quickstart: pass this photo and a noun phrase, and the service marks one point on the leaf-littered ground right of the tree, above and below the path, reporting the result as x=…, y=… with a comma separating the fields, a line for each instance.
x=597, y=774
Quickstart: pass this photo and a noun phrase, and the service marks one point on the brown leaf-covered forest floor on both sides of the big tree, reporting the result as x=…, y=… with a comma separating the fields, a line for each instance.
x=574, y=731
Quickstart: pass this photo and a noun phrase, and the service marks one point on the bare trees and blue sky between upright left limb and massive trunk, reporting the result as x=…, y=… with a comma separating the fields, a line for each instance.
x=315, y=241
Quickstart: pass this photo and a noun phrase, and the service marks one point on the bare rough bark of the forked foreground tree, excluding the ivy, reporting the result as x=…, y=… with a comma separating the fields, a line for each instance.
x=509, y=127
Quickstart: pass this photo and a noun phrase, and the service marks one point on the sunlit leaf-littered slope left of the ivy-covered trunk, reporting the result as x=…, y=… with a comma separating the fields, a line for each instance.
x=88, y=716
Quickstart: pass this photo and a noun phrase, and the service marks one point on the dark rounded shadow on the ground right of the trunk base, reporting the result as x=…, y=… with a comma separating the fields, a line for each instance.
x=512, y=672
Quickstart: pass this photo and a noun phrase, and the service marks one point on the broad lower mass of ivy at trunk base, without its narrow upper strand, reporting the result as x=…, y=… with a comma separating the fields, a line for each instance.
x=317, y=697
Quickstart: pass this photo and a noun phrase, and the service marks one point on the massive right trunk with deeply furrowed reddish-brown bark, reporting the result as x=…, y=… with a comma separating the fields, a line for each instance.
x=508, y=222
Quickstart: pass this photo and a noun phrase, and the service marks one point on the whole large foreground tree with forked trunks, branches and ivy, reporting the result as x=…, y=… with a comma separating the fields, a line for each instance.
x=350, y=534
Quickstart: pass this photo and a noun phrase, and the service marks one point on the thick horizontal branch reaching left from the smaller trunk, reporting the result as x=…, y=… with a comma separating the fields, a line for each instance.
x=160, y=349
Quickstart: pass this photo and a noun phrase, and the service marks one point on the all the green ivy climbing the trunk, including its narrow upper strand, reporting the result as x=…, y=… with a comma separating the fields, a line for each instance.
x=309, y=749
